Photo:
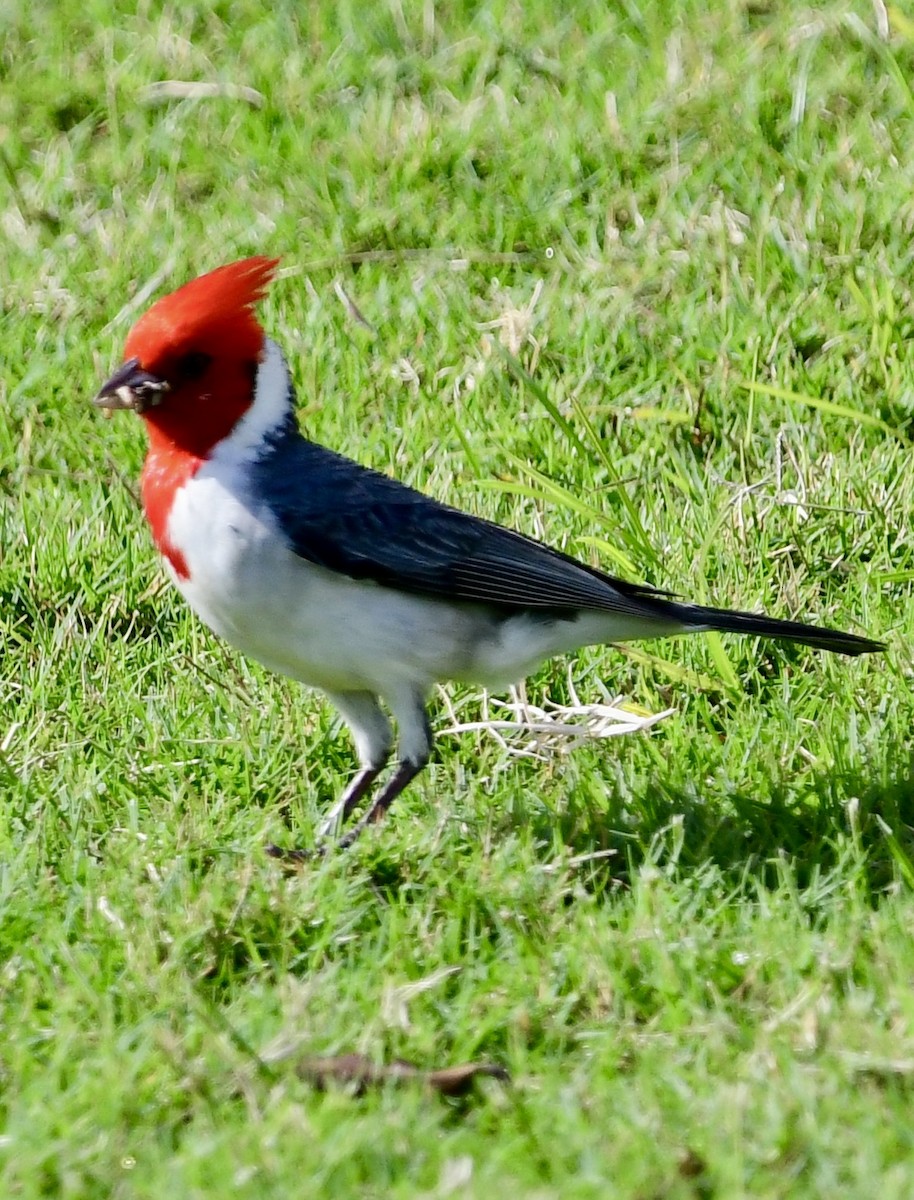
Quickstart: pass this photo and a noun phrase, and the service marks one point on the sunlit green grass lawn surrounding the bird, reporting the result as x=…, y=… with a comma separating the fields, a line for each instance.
x=705, y=212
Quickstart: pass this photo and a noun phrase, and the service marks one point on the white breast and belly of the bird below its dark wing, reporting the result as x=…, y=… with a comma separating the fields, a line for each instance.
x=300, y=620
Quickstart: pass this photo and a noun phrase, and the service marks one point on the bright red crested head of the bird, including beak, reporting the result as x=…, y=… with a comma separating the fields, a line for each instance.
x=191, y=359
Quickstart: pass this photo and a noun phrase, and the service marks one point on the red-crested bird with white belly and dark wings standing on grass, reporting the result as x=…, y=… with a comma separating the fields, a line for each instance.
x=341, y=577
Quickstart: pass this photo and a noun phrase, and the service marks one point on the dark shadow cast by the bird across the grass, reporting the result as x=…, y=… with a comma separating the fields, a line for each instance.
x=851, y=823
